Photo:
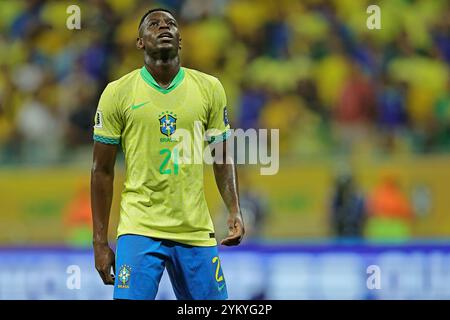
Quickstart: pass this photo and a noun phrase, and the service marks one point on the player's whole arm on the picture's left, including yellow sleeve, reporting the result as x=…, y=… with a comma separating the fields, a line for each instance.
x=107, y=132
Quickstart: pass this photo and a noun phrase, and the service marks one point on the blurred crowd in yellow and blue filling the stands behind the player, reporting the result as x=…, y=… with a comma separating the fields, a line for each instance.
x=310, y=68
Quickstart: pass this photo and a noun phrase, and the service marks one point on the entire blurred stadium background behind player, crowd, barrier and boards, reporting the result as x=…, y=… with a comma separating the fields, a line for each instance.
x=359, y=110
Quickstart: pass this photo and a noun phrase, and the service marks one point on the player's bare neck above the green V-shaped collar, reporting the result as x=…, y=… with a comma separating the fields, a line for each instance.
x=163, y=70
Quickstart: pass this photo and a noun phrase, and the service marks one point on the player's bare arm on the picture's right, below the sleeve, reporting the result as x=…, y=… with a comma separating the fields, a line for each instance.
x=227, y=181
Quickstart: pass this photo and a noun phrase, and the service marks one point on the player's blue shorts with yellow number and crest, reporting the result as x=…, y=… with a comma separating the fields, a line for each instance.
x=195, y=272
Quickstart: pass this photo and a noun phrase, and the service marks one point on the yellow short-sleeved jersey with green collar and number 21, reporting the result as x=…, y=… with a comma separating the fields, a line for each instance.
x=163, y=197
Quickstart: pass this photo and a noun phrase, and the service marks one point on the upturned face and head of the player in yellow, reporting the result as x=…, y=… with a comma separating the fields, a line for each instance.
x=159, y=31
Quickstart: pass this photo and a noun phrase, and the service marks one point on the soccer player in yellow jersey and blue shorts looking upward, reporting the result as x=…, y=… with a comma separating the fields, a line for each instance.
x=164, y=219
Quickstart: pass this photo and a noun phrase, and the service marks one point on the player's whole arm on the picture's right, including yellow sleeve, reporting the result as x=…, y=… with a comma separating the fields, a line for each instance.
x=224, y=168
